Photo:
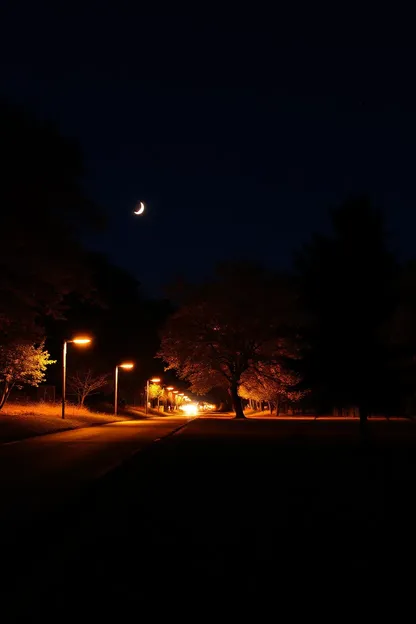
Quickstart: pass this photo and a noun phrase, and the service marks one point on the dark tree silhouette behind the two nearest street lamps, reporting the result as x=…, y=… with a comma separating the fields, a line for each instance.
x=122, y=321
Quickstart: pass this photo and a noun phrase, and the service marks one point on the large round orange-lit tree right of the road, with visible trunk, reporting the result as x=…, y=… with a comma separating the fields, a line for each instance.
x=228, y=325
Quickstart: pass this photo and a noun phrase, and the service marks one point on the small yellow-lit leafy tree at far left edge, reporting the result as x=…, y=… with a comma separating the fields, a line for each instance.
x=21, y=364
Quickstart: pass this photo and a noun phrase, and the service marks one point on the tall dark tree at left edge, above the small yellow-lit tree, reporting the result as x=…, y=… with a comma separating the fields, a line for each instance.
x=42, y=202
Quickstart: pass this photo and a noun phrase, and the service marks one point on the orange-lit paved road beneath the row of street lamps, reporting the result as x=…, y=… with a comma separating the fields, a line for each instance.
x=42, y=471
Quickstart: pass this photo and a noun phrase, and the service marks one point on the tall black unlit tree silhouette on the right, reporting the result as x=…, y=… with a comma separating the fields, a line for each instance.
x=347, y=285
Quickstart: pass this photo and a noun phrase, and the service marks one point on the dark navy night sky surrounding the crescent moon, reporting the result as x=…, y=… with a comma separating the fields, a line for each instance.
x=238, y=131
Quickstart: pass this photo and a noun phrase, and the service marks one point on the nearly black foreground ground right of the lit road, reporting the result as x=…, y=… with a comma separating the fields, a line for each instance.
x=222, y=515
